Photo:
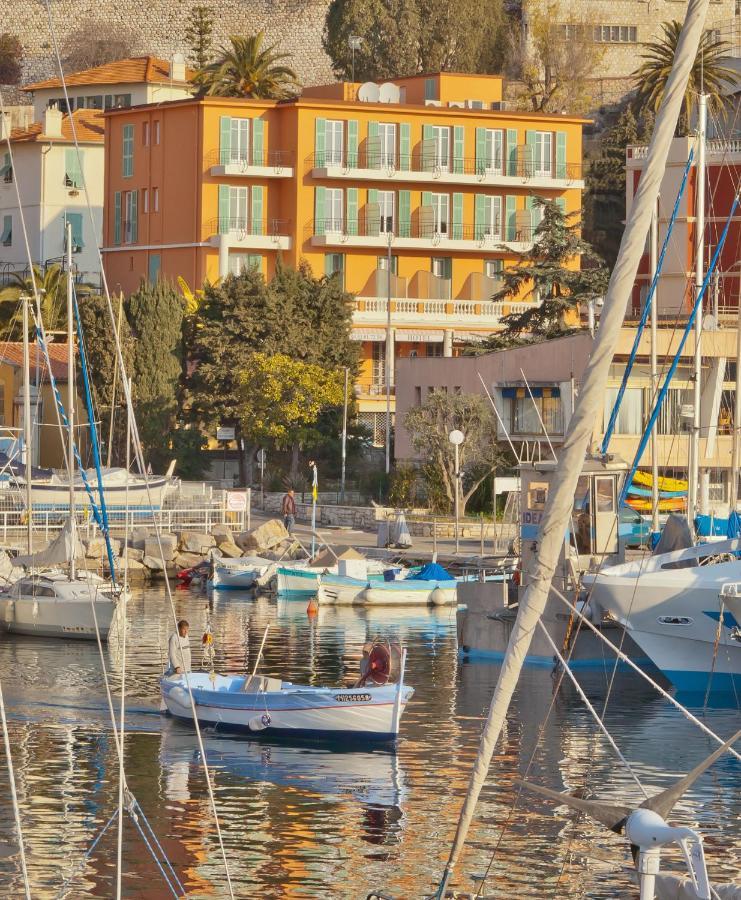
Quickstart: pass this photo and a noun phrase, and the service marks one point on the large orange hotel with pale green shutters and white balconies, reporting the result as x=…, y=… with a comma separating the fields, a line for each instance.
x=431, y=171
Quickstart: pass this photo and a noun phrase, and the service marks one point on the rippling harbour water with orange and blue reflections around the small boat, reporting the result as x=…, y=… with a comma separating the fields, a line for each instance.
x=308, y=822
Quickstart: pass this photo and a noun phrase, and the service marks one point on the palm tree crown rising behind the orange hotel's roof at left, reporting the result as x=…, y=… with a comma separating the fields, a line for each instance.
x=248, y=69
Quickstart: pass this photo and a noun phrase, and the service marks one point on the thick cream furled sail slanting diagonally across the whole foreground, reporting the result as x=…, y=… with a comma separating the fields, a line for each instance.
x=591, y=399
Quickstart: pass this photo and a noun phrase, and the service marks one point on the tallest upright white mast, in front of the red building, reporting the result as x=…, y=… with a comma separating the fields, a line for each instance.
x=694, y=485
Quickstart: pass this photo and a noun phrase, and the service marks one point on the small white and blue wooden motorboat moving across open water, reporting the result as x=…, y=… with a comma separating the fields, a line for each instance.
x=270, y=707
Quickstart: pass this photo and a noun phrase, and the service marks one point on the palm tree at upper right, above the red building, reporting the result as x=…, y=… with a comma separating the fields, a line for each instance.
x=709, y=73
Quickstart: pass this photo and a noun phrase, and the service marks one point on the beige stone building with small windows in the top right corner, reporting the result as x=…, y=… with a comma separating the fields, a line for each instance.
x=621, y=28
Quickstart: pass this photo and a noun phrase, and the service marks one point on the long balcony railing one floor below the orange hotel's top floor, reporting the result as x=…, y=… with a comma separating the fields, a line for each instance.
x=422, y=227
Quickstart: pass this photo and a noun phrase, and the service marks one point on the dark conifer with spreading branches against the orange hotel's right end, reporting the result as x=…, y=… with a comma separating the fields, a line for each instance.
x=543, y=275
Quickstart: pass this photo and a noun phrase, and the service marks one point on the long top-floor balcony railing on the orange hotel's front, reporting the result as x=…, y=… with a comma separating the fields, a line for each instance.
x=518, y=164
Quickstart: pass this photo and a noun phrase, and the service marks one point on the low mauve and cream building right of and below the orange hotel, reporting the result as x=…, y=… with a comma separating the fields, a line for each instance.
x=553, y=372
